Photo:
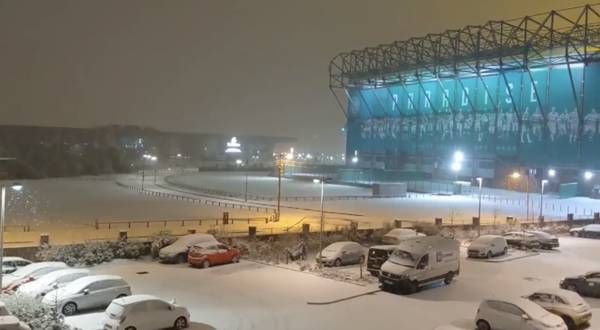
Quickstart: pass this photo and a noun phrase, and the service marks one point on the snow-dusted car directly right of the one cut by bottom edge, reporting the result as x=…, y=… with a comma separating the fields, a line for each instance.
x=566, y=304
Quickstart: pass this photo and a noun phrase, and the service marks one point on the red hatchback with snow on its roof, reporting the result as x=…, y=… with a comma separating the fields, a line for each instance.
x=209, y=254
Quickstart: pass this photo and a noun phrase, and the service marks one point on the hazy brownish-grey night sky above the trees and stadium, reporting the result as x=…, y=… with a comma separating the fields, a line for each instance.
x=238, y=67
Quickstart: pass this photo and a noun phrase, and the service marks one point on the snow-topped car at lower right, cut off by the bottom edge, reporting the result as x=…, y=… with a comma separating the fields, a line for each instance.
x=516, y=314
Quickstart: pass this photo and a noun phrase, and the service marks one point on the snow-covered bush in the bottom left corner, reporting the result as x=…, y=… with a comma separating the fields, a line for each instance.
x=37, y=315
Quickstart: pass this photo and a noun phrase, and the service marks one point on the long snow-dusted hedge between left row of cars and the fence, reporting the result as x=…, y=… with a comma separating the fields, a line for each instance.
x=91, y=253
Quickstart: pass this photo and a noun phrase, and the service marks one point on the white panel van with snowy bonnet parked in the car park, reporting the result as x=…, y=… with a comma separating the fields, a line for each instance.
x=420, y=261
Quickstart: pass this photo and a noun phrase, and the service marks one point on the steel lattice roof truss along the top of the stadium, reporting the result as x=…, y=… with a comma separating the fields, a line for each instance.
x=559, y=37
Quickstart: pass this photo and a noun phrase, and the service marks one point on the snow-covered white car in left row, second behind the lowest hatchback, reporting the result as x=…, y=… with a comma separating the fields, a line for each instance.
x=57, y=279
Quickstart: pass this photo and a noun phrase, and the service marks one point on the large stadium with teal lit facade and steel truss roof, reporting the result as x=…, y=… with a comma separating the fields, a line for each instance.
x=480, y=101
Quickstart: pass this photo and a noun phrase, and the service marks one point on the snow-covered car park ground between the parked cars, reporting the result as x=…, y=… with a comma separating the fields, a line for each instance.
x=254, y=296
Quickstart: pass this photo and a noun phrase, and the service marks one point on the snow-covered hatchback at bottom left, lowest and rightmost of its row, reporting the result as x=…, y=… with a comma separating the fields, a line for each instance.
x=145, y=312
